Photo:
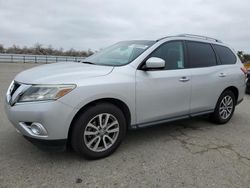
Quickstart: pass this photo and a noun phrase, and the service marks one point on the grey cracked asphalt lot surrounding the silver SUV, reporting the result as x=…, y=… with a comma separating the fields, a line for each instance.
x=187, y=153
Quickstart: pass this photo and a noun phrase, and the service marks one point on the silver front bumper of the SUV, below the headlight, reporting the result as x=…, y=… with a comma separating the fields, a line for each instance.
x=55, y=117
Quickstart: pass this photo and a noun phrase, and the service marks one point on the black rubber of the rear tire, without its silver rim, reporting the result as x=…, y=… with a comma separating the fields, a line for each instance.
x=215, y=116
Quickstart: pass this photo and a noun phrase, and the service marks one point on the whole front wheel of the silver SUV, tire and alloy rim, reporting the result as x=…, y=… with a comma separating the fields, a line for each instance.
x=92, y=139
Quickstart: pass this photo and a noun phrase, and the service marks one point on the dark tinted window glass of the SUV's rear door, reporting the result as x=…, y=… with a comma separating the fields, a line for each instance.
x=200, y=55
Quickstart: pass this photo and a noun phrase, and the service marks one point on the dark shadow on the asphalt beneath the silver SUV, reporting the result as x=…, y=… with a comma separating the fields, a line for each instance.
x=135, y=138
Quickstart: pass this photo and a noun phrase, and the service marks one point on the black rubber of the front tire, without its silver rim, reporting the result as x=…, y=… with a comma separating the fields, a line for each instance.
x=78, y=138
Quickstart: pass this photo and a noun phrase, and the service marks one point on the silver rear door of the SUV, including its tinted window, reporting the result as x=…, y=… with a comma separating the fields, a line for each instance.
x=208, y=77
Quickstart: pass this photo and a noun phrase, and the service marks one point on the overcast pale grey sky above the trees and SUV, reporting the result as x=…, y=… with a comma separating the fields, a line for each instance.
x=84, y=24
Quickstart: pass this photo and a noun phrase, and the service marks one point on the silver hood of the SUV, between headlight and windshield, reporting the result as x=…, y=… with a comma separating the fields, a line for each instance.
x=59, y=73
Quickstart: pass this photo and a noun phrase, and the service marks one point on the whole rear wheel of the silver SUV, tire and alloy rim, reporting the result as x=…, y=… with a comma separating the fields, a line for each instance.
x=222, y=114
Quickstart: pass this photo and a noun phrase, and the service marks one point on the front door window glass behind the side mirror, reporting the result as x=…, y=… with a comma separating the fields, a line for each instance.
x=172, y=53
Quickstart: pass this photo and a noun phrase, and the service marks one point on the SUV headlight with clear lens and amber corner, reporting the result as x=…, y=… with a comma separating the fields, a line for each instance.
x=45, y=92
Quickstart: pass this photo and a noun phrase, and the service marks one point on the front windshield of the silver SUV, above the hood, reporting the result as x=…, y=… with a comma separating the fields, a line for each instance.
x=120, y=53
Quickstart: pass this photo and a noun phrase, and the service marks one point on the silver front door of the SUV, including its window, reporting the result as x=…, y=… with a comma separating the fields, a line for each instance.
x=162, y=94
